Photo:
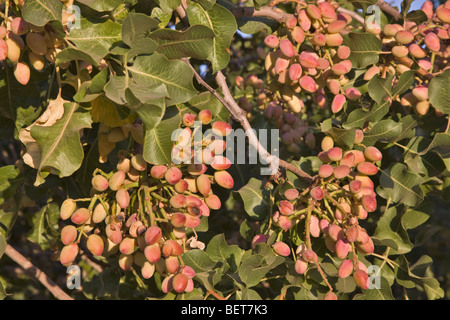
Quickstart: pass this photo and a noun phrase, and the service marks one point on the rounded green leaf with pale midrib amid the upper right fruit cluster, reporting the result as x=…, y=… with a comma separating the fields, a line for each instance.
x=364, y=47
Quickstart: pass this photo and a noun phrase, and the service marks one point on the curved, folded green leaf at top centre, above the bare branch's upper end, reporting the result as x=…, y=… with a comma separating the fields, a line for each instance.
x=223, y=24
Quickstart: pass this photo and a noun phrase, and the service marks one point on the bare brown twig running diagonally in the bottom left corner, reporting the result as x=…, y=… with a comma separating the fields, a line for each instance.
x=57, y=292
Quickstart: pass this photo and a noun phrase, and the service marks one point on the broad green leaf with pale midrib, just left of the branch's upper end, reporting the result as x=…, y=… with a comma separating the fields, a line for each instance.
x=175, y=75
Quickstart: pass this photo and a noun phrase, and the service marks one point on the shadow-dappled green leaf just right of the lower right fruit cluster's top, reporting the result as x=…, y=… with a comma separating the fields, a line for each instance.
x=402, y=185
